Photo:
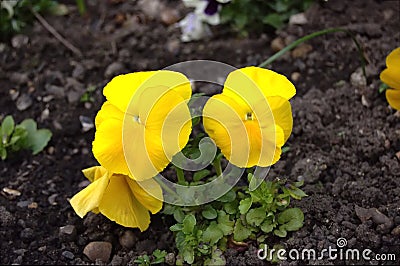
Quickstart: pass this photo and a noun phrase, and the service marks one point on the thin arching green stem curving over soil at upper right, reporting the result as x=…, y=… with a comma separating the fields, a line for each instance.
x=311, y=36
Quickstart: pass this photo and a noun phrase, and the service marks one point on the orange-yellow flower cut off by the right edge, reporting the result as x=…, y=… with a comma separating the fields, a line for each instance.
x=391, y=77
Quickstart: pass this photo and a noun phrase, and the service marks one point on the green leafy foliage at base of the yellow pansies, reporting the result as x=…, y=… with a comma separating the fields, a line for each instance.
x=203, y=232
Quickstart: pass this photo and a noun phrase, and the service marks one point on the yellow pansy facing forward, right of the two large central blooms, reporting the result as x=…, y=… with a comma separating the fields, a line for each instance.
x=251, y=119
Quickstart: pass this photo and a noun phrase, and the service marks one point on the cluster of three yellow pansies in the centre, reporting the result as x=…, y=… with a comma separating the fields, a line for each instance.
x=146, y=120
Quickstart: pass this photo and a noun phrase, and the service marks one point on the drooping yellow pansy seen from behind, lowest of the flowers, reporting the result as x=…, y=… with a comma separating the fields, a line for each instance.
x=118, y=197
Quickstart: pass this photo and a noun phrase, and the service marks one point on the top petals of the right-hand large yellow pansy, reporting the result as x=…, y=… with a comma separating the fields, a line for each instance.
x=246, y=81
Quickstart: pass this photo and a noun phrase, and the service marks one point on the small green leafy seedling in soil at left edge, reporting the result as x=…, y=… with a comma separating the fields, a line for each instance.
x=22, y=136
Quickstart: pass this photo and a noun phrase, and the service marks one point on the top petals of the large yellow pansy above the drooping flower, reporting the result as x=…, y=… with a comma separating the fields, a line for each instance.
x=121, y=90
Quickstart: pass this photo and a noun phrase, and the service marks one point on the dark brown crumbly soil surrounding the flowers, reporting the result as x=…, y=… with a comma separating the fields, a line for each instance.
x=345, y=142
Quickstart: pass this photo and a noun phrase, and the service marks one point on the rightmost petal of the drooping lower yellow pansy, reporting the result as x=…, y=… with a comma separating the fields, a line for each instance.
x=148, y=193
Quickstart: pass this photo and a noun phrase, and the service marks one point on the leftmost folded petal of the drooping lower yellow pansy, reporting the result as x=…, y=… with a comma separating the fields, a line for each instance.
x=89, y=198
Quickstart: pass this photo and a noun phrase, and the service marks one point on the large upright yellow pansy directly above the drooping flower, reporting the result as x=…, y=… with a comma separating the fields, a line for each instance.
x=143, y=123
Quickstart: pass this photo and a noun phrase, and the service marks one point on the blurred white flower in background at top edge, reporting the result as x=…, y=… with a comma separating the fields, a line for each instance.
x=194, y=26
